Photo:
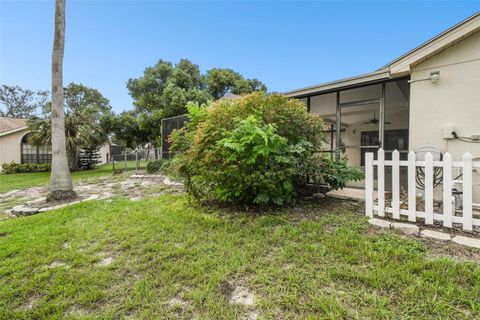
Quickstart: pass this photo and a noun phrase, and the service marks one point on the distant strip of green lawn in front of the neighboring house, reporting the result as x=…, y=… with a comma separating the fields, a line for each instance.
x=33, y=179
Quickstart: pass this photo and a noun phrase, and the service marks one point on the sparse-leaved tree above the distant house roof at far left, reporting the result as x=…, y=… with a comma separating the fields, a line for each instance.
x=17, y=102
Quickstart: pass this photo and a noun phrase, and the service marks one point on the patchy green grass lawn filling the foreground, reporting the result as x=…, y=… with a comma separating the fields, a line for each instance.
x=171, y=260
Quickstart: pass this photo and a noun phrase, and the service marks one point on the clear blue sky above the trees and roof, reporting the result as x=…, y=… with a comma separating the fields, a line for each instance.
x=286, y=45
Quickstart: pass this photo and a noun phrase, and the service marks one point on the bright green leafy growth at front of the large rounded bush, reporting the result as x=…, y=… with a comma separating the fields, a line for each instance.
x=258, y=164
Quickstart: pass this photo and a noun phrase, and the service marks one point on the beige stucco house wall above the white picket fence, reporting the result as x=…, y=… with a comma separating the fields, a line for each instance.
x=453, y=101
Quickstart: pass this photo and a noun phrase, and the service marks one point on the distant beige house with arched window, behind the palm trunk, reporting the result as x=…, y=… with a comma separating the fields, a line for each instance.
x=14, y=144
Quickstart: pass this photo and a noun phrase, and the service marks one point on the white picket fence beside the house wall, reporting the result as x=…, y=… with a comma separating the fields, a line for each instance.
x=448, y=216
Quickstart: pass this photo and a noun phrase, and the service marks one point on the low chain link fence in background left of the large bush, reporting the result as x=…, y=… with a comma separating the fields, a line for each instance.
x=133, y=160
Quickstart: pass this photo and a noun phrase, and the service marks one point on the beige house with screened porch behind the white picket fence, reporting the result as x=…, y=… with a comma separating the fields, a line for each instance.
x=430, y=95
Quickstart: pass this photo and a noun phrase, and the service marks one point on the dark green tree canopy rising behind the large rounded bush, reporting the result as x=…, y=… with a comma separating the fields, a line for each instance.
x=164, y=90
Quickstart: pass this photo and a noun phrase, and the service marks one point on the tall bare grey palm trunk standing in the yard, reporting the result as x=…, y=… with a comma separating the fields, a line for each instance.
x=61, y=187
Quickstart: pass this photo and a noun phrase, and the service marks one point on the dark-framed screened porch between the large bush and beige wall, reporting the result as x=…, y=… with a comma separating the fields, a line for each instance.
x=369, y=115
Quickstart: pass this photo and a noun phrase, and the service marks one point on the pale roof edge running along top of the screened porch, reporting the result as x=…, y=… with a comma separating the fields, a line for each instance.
x=372, y=77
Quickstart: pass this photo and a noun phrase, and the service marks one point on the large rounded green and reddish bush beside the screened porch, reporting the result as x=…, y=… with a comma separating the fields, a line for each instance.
x=255, y=149
